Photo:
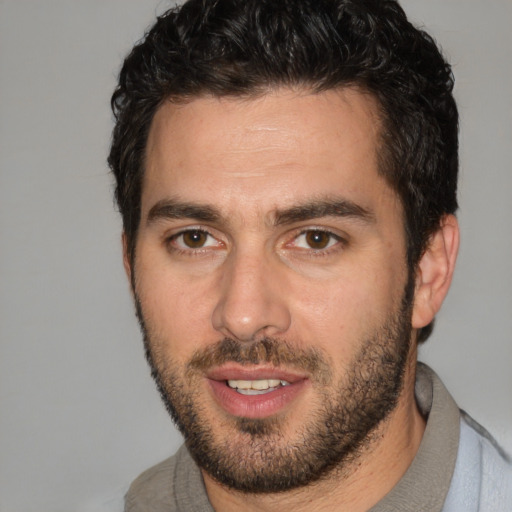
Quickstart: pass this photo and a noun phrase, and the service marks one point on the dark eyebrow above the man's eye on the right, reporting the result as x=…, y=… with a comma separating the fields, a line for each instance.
x=324, y=208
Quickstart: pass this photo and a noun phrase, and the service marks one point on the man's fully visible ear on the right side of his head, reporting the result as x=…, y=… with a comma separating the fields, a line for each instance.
x=435, y=271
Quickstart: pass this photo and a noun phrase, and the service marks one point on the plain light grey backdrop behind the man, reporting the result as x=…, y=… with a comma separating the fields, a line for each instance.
x=79, y=416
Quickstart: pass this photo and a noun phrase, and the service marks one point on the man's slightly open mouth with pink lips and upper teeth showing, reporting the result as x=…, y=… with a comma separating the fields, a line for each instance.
x=255, y=392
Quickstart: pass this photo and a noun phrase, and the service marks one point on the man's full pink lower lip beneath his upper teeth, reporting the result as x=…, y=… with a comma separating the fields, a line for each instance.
x=254, y=406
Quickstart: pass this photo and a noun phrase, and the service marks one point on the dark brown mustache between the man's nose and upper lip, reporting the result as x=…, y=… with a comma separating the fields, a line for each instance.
x=278, y=353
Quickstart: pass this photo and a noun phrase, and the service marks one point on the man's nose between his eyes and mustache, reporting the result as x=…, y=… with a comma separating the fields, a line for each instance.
x=252, y=301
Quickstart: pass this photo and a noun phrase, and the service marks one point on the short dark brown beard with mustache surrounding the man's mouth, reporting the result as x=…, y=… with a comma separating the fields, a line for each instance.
x=255, y=455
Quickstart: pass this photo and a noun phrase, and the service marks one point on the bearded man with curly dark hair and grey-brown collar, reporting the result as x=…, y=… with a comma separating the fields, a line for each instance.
x=286, y=173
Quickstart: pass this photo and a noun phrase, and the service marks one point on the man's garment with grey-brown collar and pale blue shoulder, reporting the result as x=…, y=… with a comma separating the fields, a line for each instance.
x=458, y=468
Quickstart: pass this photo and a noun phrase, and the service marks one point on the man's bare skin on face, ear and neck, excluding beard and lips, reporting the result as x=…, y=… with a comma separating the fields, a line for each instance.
x=249, y=160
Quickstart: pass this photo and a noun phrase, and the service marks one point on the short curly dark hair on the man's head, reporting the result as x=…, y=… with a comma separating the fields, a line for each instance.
x=246, y=47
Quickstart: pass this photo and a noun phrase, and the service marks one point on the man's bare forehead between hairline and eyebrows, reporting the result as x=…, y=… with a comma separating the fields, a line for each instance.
x=263, y=153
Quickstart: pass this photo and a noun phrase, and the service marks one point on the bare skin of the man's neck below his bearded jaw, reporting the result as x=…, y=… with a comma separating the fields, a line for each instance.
x=357, y=486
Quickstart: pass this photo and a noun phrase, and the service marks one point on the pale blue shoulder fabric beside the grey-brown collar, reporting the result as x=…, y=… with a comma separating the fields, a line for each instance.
x=482, y=480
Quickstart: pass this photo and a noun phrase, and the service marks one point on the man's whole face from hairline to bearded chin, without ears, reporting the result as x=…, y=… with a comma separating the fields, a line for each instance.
x=271, y=281
